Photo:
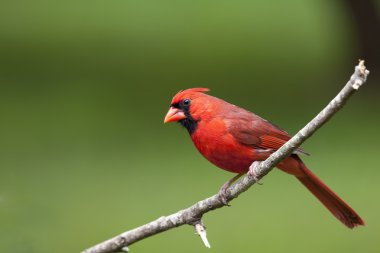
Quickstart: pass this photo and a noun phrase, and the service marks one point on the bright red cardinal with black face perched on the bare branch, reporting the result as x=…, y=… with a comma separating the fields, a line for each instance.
x=233, y=138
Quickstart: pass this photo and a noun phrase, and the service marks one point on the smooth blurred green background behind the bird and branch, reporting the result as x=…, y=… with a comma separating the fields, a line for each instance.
x=85, y=155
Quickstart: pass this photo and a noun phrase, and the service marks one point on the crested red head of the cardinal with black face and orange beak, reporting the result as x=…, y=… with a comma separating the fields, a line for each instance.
x=186, y=108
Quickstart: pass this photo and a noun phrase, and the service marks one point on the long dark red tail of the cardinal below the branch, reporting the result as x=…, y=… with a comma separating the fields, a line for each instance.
x=340, y=209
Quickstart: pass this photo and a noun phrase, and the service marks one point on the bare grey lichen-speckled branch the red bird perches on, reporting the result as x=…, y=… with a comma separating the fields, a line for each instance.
x=193, y=214
